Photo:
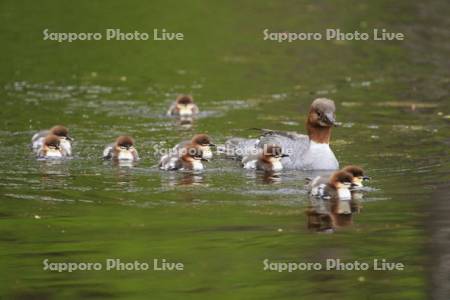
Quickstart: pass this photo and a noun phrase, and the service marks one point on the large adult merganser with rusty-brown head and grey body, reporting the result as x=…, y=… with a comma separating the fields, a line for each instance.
x=306, y=152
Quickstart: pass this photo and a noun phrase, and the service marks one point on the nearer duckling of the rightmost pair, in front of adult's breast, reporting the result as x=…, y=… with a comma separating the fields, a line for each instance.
x=337, y=187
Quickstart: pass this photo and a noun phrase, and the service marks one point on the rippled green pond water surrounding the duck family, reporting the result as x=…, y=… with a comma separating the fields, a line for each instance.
x=392, y=98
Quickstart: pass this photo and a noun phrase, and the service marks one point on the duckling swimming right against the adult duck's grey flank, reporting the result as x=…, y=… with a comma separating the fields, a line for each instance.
x=269, y=159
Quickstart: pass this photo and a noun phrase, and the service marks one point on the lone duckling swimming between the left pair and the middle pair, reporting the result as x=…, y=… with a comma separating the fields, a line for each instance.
x=122, y=150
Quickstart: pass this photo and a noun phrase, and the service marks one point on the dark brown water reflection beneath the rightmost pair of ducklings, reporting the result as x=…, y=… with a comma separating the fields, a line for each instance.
x=327, y=215
